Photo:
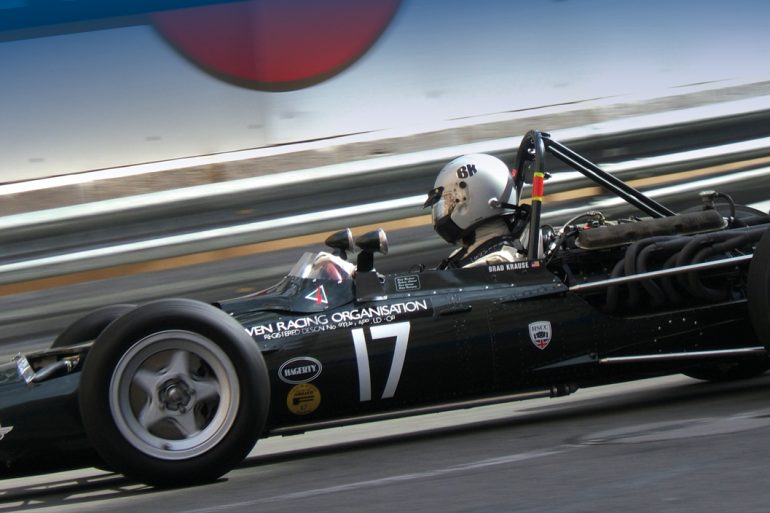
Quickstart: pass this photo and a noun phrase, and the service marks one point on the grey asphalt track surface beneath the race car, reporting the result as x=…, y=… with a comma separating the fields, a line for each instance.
x=665, y=445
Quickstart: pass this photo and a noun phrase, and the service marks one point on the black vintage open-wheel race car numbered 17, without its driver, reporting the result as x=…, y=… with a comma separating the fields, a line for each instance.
x=177, y=392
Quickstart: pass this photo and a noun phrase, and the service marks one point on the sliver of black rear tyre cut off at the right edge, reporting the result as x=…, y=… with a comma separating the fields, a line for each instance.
x=758, y=289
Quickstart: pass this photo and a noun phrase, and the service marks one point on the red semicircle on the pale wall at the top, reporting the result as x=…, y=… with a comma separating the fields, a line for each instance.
x=276, y=45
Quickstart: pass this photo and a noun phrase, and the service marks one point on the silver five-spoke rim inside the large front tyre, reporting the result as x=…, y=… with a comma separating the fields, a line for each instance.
x=174, y=395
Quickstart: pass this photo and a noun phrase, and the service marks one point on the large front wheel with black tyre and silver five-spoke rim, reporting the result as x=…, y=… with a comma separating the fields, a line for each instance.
x=174, y=393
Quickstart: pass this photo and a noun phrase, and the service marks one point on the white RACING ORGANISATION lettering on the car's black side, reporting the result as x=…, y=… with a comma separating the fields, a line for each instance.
x=344, y=319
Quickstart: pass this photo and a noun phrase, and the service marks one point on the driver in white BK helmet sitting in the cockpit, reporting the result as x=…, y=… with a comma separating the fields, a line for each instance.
x=471, y=208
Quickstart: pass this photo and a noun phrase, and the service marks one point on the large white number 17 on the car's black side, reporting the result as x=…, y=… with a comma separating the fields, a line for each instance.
x=400, y=331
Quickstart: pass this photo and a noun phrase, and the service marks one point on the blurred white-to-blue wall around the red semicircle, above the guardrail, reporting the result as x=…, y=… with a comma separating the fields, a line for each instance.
x=105, y=98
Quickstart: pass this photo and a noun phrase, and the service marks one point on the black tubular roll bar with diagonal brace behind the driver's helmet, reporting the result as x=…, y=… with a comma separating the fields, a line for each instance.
x=533, y=148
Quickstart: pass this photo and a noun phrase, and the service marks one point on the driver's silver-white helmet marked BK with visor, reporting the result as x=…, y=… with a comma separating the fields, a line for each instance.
x=469, y=190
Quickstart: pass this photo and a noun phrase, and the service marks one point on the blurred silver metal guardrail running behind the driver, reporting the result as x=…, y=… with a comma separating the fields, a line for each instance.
x=182, y=221
